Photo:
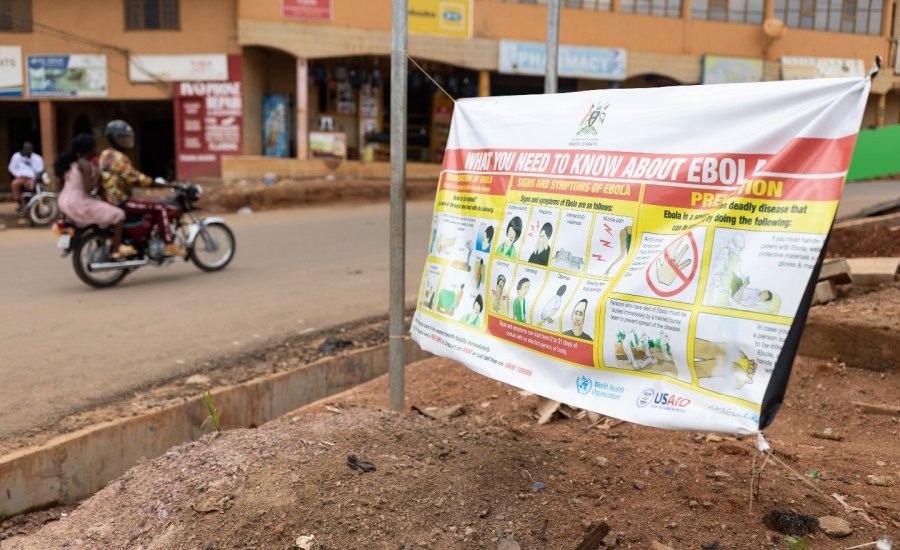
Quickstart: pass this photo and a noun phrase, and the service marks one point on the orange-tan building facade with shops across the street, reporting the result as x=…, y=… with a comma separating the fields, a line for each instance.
x=200, y=79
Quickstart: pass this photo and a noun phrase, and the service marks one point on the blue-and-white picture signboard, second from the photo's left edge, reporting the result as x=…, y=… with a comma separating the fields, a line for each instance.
x=67, y=76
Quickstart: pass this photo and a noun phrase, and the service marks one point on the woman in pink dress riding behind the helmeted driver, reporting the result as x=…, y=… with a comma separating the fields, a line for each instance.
x=79, y=176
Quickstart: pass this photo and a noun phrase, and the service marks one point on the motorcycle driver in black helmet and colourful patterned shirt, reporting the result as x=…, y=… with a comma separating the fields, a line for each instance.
x=118, y=177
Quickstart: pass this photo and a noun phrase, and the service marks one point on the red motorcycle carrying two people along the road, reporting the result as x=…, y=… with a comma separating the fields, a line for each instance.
x=209, y=243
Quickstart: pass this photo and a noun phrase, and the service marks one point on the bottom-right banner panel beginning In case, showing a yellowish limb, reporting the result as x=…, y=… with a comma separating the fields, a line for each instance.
x=734, y=356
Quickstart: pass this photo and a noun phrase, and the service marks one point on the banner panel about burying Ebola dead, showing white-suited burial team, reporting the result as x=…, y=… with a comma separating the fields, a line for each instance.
x=646, y=338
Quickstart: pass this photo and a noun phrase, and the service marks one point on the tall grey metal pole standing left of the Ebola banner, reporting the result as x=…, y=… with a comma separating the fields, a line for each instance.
x=397, y=328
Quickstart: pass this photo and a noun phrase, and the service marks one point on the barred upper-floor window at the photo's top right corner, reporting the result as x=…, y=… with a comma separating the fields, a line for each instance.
x=847, y=16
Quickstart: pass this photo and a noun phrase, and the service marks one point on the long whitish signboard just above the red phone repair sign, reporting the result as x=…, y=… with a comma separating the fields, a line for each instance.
x=178, y=68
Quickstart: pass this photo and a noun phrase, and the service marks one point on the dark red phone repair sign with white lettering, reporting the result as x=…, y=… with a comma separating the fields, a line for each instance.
x=209, y=122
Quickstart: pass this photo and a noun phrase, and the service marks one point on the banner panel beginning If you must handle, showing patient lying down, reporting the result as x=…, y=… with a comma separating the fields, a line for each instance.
x=760, y=272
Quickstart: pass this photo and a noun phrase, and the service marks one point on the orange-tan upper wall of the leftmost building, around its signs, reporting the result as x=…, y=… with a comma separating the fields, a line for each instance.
x=98, y=27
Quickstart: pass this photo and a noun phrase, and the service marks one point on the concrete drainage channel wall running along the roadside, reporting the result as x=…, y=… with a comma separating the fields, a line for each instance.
x=75, y=466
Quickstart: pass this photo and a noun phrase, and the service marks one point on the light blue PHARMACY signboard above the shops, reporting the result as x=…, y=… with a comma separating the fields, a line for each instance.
x=530, y=58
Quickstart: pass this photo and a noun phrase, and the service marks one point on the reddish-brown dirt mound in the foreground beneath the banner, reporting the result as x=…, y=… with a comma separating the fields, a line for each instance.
x=492, y=478
